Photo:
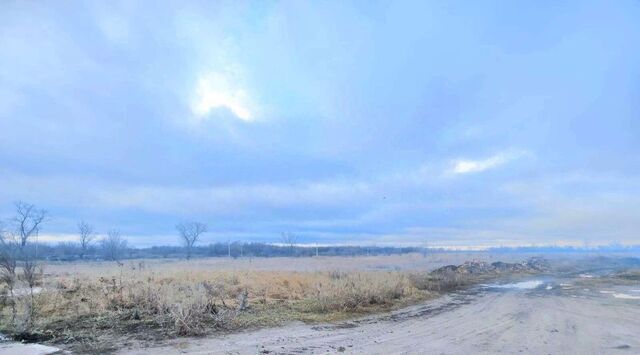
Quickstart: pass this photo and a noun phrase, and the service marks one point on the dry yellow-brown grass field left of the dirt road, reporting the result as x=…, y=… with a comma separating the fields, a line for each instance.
x=89, y=305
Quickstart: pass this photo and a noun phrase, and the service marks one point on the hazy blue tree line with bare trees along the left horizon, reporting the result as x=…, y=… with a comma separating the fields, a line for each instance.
x=19, y=242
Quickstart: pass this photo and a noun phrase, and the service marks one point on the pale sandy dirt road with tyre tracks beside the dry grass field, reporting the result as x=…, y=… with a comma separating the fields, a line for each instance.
x=554, y=318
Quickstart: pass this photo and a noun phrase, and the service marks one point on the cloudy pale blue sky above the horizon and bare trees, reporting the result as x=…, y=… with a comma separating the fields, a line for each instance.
x=451, y=123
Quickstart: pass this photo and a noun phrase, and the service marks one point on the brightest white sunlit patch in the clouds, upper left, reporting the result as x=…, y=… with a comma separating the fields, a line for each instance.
x=218, y=90
